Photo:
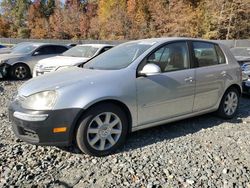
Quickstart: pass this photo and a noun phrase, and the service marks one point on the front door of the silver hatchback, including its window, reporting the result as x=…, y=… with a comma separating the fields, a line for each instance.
x=170, y=93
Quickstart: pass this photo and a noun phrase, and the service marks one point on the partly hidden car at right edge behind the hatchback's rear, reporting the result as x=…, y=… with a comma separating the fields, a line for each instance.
x=242, y=55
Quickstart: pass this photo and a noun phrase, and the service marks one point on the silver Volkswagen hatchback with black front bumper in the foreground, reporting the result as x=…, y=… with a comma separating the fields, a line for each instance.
x=136, y=85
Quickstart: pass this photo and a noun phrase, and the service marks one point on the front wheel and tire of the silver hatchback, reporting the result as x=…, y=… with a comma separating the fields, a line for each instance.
x=102, y=130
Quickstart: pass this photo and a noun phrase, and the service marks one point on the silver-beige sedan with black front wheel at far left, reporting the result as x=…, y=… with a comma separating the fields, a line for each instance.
x=20, y=62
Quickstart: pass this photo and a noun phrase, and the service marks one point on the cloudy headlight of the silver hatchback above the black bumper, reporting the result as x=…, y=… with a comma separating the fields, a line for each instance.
x=40, y=101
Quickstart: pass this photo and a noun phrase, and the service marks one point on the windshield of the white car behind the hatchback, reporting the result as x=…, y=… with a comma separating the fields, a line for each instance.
x=81, y=51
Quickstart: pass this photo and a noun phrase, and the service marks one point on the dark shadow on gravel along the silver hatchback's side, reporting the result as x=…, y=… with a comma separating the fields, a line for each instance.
x=182, y=128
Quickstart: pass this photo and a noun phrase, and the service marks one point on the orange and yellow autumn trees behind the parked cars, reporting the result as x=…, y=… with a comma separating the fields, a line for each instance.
x=125, y=19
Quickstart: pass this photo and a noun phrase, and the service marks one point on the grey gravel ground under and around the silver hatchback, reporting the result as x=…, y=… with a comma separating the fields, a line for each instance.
x=205, y=151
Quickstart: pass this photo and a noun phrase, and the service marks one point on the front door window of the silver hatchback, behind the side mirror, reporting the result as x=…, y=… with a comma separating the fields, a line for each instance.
x=171, y=57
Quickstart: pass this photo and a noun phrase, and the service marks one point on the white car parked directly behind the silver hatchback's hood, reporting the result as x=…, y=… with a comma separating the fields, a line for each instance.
x=72, y=57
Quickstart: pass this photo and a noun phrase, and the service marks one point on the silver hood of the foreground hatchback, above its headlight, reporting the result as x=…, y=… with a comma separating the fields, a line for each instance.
x=64, y=78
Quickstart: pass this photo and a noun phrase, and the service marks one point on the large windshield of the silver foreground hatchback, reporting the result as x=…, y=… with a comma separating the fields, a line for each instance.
x=118, y=57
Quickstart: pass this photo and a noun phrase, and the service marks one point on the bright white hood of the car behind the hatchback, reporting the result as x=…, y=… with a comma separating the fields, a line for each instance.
x=62, y=61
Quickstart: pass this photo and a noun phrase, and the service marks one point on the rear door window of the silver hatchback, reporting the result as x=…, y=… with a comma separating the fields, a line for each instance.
x=208, y=54
